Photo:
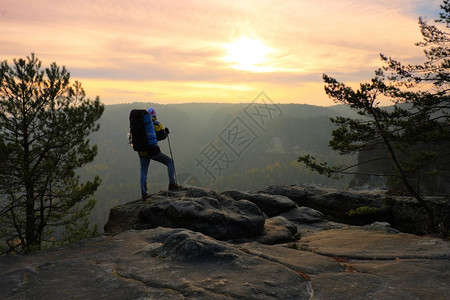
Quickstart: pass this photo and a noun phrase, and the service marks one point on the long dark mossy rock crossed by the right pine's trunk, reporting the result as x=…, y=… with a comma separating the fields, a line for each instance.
x=362, y=207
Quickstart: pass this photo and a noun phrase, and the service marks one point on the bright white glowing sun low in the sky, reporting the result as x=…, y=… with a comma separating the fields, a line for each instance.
x=248, y=54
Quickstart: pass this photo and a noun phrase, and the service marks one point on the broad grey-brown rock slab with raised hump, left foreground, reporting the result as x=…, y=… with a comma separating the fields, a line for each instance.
x=159, y=263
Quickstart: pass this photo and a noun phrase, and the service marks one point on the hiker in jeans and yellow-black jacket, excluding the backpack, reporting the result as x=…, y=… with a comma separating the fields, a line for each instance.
x=153, y=152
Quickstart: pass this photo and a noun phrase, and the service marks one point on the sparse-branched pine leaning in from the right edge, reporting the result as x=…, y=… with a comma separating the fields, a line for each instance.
x=415, y=132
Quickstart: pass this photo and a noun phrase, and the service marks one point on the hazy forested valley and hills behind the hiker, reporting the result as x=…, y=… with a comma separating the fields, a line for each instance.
x=218, y=146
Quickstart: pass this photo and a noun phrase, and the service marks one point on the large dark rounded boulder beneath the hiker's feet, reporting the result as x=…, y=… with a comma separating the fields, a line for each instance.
x=201, y=210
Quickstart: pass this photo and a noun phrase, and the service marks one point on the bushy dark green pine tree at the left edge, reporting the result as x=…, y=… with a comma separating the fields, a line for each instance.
x=44, y=125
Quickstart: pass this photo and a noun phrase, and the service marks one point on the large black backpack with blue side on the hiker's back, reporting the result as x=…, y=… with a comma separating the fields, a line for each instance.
x=143, y=135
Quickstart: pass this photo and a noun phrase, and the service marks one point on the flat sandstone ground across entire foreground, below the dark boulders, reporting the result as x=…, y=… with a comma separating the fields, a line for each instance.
x=166, y=263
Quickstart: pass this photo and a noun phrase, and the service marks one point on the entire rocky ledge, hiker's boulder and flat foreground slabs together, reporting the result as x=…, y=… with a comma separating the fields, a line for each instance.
x=199, y=244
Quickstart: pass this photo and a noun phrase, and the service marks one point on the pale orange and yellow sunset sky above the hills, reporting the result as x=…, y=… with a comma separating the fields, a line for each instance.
x=211, y=50
